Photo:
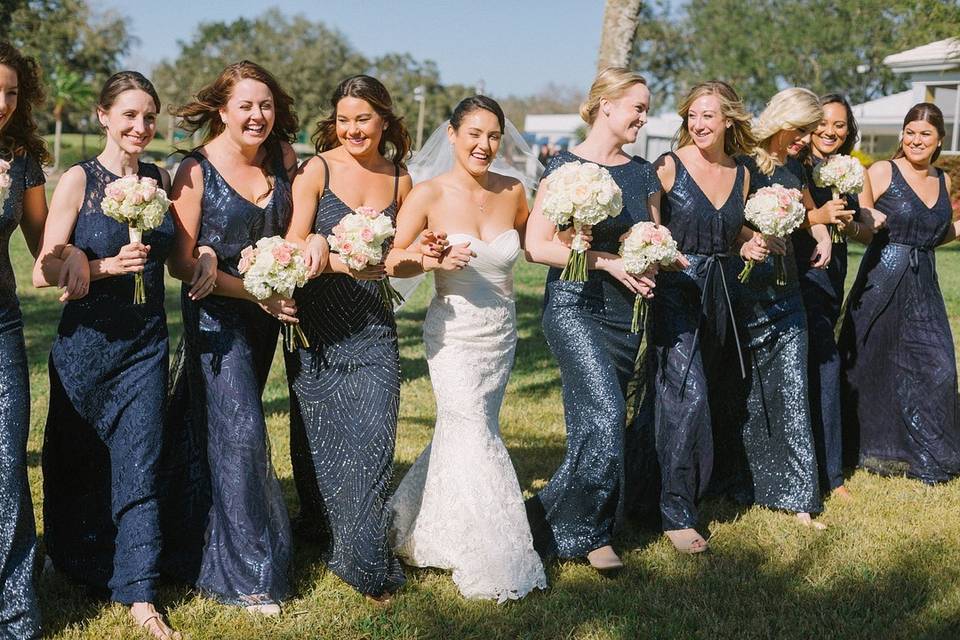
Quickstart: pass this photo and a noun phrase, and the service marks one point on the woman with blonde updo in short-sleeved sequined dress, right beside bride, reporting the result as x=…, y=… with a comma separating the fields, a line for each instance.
x=587, y=326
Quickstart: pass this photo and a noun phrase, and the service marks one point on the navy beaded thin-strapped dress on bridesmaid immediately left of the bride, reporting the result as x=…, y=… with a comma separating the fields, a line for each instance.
x=344, y=399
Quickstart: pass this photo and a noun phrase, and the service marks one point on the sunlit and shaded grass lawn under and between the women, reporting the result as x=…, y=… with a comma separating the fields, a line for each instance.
x=887, y=567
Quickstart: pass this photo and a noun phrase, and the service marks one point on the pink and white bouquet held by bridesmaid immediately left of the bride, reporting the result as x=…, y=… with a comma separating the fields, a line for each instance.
x=359, y=239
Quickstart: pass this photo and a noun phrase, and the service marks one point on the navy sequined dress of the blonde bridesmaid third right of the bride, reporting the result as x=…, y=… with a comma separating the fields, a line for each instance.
x=777, y=437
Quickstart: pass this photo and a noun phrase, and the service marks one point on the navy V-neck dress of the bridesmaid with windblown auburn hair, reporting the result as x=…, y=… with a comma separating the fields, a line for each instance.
x=225, y=519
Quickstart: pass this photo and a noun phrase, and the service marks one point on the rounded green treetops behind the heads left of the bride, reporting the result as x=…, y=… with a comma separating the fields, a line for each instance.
x=309, y=59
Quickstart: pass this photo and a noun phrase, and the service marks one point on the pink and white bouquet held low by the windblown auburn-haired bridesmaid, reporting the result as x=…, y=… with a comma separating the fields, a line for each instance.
x=275, y=266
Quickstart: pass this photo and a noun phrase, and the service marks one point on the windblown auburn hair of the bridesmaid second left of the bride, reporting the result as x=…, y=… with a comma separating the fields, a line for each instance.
x=203, y=113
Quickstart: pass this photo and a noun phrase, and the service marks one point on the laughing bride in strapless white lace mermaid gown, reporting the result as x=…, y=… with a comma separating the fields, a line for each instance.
x=460, y=507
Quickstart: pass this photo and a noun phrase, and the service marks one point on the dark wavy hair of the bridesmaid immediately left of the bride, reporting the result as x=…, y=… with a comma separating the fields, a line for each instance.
x=376, y=95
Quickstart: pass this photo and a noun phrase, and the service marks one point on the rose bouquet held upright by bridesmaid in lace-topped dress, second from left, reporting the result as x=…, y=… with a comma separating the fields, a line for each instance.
x=141, y=205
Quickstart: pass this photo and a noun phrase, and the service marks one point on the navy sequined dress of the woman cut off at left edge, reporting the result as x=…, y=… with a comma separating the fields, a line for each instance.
x=19, y=613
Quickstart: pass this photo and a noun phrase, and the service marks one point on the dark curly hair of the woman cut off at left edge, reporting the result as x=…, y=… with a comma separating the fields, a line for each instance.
x=20, y=135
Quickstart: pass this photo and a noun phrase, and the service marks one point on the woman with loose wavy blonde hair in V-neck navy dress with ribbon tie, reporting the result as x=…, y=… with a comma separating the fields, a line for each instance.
x=694, y=328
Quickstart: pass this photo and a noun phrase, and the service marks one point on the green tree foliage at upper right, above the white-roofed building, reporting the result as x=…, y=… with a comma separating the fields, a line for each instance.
x=763, y=46
